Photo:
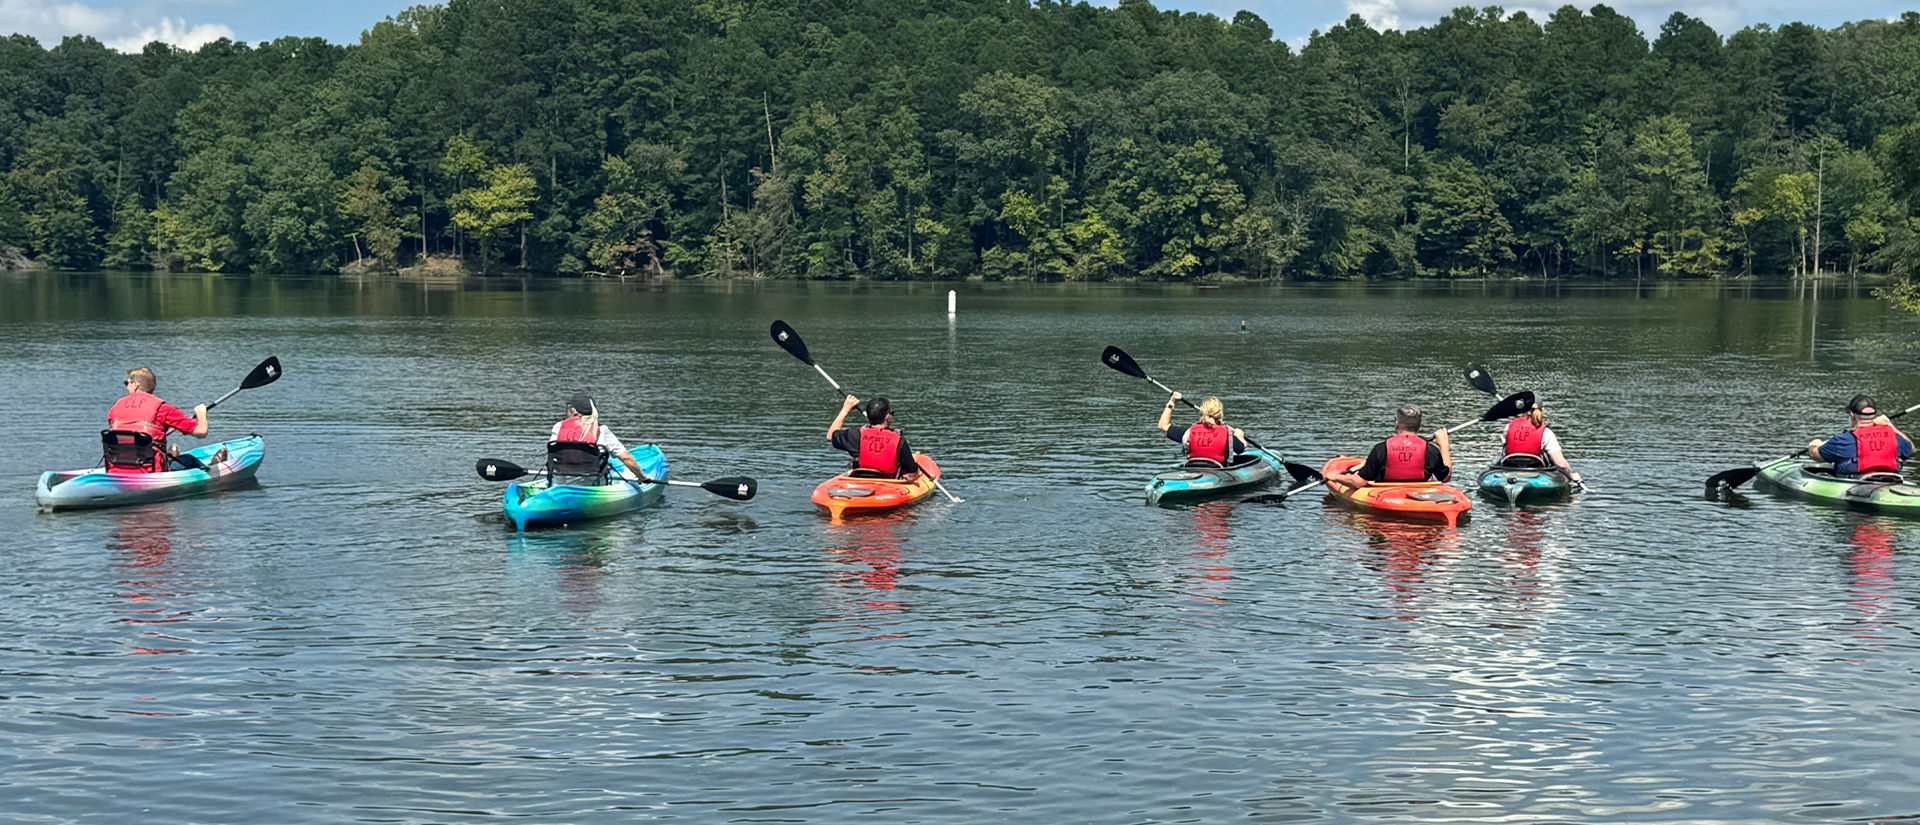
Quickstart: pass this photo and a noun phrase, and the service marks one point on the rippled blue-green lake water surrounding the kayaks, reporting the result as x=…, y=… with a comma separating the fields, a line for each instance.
x=362, y=640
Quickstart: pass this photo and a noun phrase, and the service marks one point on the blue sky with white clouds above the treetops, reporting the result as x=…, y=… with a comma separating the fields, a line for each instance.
x=191, y=24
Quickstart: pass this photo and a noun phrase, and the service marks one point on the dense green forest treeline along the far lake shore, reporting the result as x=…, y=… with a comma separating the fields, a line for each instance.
x=1007, y=139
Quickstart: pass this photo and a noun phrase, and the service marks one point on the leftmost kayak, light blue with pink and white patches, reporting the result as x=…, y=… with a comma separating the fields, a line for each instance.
x=82, y=490
